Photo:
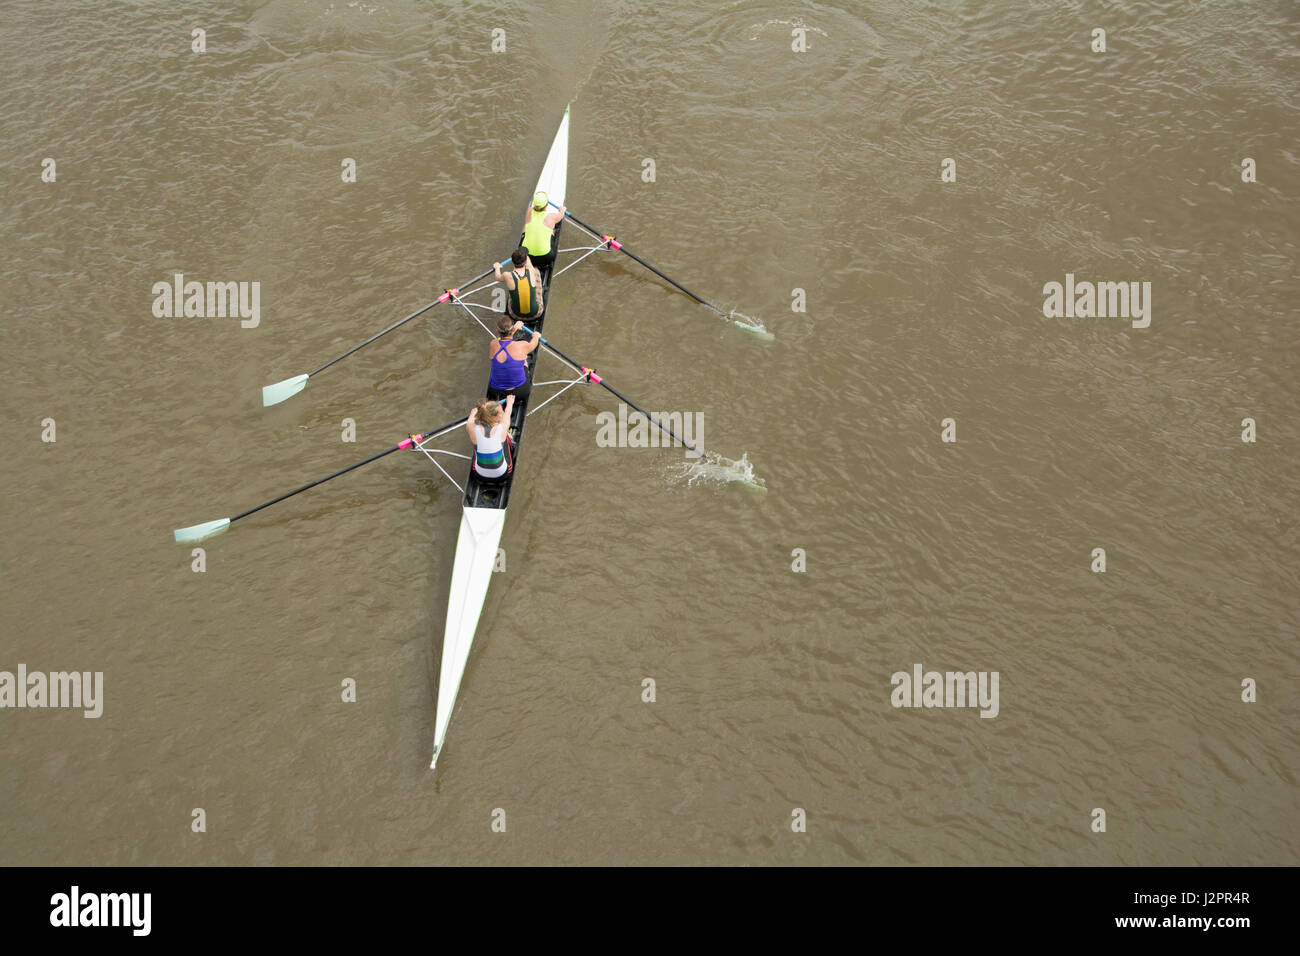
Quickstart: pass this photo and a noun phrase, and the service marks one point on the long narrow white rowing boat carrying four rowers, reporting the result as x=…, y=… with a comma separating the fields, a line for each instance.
x=484, y=507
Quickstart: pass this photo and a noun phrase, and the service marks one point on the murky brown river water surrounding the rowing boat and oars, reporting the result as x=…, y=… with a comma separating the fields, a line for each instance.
x=775, y=170
